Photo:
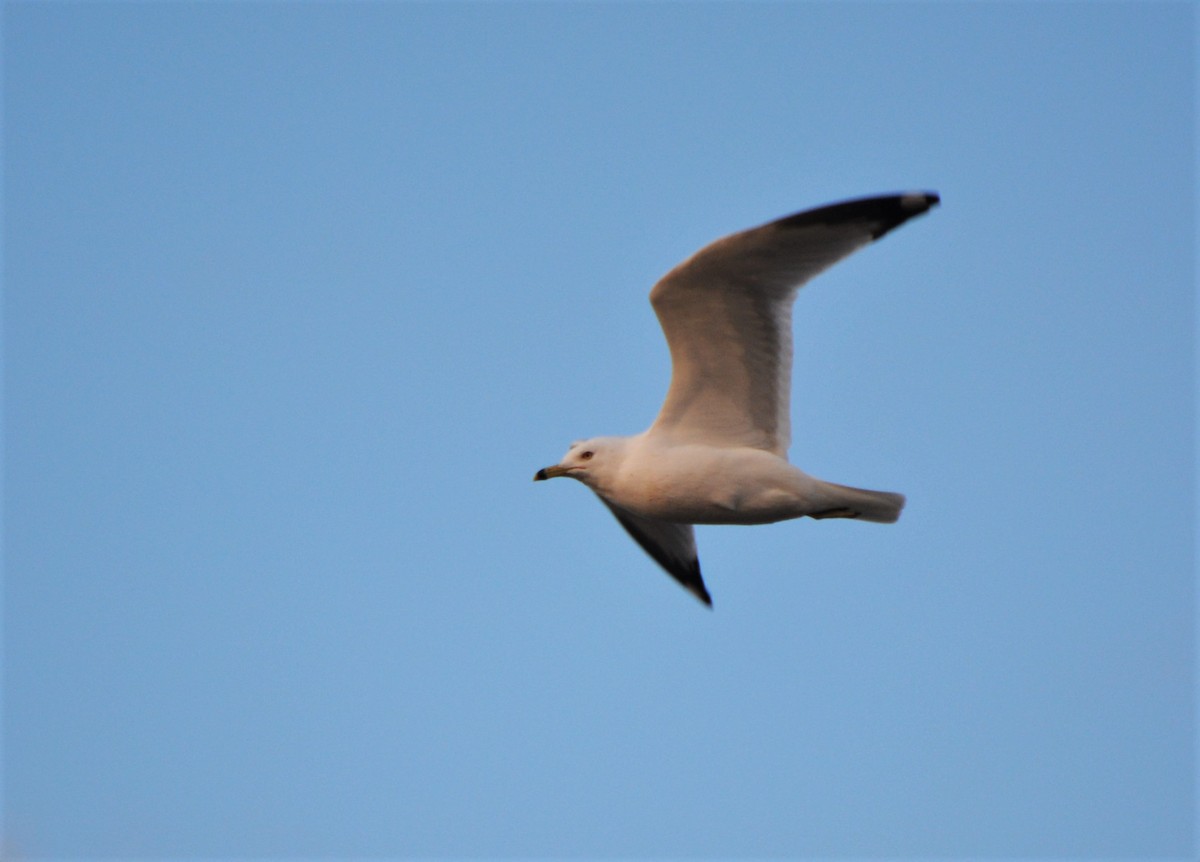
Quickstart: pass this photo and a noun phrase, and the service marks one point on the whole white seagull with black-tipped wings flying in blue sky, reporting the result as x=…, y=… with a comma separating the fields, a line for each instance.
x=718, y=451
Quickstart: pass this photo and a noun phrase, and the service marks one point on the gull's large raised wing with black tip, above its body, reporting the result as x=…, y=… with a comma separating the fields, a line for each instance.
x=728, y=316
